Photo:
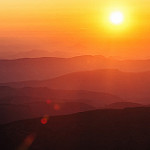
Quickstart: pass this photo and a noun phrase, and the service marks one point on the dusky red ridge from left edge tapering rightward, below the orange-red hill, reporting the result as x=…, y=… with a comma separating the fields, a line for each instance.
x=39, y=94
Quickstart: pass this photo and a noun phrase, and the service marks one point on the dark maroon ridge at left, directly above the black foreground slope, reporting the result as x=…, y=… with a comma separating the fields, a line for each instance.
x=14, y=112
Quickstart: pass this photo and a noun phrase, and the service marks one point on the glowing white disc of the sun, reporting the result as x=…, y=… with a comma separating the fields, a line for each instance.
x=116, y=18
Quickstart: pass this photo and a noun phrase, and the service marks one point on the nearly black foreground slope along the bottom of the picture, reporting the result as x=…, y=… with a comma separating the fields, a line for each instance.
x=127, y=129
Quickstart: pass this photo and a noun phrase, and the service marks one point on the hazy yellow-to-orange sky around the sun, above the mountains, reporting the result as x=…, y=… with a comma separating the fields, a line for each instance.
x=75, y=25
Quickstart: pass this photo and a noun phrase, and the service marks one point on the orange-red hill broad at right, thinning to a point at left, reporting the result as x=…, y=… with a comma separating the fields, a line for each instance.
x=124, y=84
